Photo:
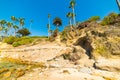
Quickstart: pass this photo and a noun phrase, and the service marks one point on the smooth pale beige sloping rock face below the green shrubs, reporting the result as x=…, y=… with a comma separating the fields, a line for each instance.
x=37, y=53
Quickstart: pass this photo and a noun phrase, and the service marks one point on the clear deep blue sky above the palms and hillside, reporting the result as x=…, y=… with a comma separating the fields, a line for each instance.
x=38, y=10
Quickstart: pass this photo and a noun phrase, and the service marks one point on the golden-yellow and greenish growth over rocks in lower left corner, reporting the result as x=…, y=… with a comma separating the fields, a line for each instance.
x=13, y=68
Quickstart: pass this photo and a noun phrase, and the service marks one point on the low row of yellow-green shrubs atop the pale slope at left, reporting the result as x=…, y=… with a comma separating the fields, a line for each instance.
x=16, y=41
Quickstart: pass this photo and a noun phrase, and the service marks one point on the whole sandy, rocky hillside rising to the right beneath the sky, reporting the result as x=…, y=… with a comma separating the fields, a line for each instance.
x=90, y=51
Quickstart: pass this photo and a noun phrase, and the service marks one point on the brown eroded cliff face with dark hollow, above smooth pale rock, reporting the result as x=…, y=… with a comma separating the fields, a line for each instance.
x=101, y=41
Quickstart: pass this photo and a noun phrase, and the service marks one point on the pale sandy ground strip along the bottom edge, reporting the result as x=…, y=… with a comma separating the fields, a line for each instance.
x=69, y=74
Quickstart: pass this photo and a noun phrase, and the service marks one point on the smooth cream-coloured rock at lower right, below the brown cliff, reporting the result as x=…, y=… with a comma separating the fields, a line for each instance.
x=108, y=64
